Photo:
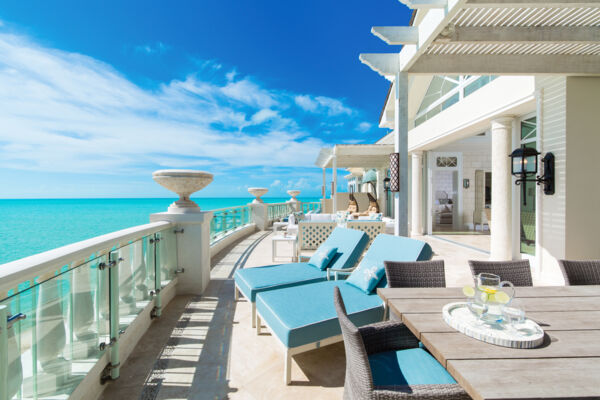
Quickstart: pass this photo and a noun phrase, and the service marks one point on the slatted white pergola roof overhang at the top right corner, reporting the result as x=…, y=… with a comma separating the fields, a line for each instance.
x=499, y=37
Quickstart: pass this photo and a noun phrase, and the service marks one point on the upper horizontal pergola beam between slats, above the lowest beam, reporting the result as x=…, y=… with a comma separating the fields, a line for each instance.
x=506, y=34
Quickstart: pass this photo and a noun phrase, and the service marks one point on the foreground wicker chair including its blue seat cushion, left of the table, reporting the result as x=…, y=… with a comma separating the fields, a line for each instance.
x=384, y=361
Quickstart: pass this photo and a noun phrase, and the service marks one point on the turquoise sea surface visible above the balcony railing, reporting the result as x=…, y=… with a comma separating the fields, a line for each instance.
x=31, y=226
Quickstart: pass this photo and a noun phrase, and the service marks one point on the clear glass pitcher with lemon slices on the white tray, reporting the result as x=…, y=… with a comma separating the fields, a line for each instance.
x=487, y=297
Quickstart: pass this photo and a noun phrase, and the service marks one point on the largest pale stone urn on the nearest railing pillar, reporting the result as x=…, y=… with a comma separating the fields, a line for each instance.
x=184, y=182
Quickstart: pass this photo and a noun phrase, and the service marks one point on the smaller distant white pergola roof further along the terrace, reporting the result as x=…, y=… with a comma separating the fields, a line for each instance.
x=355, y=156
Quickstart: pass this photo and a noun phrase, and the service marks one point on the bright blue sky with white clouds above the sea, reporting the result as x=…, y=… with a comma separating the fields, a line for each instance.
x=94, y=96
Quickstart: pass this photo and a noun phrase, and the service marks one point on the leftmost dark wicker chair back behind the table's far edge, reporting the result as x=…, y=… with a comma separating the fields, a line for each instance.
x=415, y=274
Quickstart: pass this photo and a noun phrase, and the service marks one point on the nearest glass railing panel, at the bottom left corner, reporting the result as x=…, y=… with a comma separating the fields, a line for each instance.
x=58, y=342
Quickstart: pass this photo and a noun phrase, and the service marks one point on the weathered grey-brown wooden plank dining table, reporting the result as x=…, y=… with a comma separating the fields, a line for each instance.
x=566, y=365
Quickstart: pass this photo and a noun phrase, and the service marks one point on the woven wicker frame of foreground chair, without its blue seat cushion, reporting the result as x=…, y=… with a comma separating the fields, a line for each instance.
x=360, y=343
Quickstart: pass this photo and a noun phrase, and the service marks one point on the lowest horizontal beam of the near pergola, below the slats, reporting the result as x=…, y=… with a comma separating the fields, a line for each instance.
x=506, y=64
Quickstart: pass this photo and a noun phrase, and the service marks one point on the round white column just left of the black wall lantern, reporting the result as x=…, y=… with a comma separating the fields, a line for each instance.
x=501, y=229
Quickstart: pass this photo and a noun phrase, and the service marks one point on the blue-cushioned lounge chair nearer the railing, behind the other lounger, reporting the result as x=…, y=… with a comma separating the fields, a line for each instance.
x=350, y=244
